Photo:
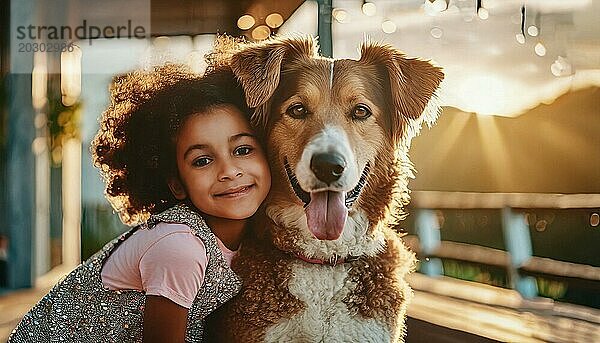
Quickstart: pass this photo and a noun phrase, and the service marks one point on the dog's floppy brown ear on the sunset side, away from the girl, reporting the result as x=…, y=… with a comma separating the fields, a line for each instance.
x=412, y=83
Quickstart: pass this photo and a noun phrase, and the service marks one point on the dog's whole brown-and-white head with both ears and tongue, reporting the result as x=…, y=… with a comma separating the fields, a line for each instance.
x=333, y=129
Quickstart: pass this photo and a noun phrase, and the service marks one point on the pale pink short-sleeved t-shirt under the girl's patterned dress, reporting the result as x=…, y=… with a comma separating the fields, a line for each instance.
x=167, y=260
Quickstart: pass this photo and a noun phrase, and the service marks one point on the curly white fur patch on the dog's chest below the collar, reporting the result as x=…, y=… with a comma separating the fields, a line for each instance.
x=325, y=318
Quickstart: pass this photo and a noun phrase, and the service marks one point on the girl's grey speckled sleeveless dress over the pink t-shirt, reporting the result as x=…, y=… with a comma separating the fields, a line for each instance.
x=80, y=309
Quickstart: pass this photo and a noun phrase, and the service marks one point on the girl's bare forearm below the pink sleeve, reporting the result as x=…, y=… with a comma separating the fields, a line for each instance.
x=164, y=320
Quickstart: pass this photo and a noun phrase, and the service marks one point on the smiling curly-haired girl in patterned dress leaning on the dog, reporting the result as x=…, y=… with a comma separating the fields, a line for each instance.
x=180, y=148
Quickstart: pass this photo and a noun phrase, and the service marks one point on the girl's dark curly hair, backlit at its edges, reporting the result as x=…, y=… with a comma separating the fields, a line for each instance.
x=135, y=145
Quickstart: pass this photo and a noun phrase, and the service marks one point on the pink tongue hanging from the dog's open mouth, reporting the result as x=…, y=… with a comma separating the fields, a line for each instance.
x=326, y=214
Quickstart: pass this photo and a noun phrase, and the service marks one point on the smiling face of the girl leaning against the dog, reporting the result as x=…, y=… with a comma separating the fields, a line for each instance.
x=222, y=167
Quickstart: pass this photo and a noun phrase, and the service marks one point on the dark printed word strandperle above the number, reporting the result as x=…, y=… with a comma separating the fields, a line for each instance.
x=47, y=33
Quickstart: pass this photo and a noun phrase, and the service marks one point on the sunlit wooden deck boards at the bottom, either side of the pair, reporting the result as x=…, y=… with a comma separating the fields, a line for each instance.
x=444, y=310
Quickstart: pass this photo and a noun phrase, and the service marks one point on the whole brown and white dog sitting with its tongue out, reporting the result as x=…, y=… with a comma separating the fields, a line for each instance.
x=328, y=267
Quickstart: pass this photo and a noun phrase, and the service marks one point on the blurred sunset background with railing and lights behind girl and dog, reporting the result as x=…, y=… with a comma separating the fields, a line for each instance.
x=505, y=211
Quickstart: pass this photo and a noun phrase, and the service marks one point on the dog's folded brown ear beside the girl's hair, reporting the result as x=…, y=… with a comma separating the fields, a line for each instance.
x=258, y=66
